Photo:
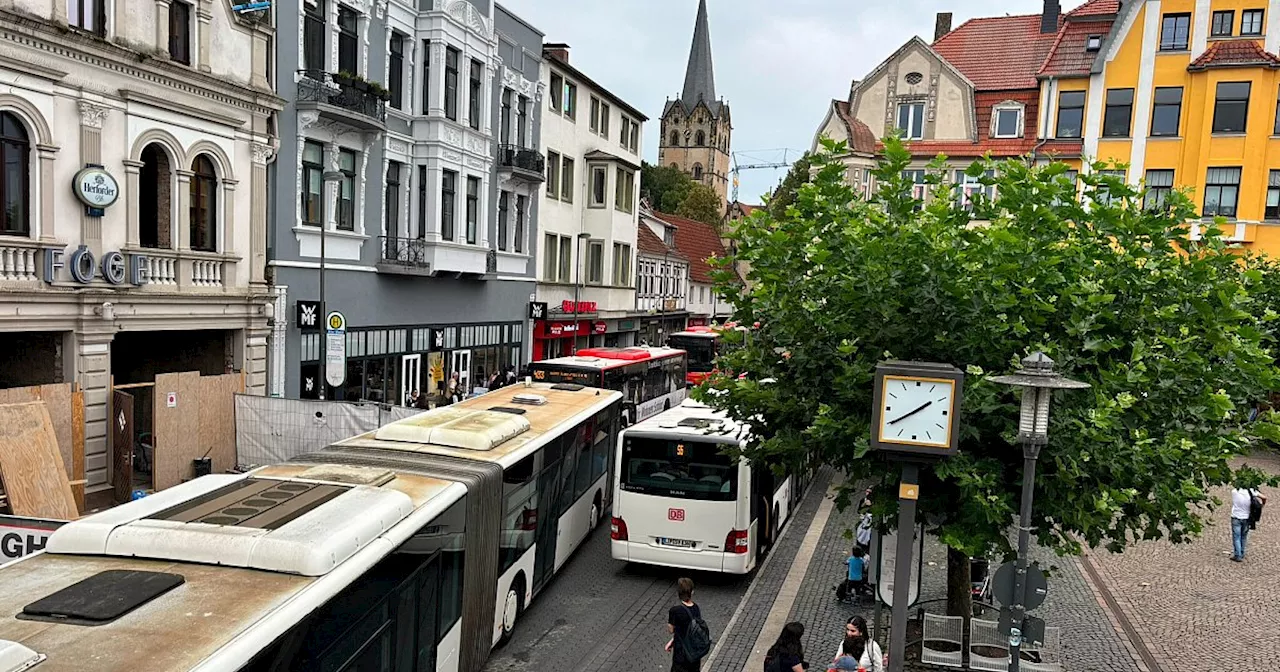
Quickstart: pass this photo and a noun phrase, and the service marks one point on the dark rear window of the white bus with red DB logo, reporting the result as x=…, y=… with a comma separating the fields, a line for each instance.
x=679, y=469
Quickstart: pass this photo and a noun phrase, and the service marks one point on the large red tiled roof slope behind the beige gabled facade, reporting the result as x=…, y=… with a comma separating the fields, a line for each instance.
x=998, y=53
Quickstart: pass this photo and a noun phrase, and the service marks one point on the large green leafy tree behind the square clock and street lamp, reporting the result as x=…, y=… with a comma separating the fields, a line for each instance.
x=1163, y=327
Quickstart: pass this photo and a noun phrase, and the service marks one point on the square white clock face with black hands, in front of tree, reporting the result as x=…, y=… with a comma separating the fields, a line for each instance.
x=917, y=412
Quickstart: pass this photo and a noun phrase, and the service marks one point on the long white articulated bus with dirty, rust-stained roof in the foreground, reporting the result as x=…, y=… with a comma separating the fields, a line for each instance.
x=413, y=548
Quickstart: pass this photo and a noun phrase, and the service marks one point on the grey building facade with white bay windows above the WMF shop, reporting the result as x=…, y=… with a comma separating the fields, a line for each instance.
x=412, y=139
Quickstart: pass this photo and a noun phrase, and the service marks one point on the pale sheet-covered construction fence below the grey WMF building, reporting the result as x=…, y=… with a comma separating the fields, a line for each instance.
x=271, y=431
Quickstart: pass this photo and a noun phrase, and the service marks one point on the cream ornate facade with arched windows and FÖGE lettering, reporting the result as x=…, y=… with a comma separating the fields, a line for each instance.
x=171, y=135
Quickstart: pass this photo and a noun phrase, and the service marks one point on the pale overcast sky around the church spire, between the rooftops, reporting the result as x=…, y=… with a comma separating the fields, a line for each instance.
x=779, y=63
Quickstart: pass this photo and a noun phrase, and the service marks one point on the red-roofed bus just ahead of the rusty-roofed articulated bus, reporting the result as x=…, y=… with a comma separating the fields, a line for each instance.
x=651, y=380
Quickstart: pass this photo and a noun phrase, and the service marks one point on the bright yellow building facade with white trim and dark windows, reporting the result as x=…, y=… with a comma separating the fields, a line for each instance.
x=1186, y=94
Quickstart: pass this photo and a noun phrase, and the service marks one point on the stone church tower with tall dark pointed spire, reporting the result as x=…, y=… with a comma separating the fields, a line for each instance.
x=696, y=127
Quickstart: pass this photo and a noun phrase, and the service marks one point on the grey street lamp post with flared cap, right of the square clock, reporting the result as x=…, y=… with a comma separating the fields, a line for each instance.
x=1037, y=381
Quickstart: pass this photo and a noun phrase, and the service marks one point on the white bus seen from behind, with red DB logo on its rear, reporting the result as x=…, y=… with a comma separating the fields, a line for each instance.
x=682, y=502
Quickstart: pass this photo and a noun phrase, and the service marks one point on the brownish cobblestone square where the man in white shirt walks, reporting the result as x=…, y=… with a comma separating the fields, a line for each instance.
x=1191, y=605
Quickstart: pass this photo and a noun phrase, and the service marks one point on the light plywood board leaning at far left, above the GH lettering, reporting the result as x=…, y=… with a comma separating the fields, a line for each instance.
x=31, y=467
